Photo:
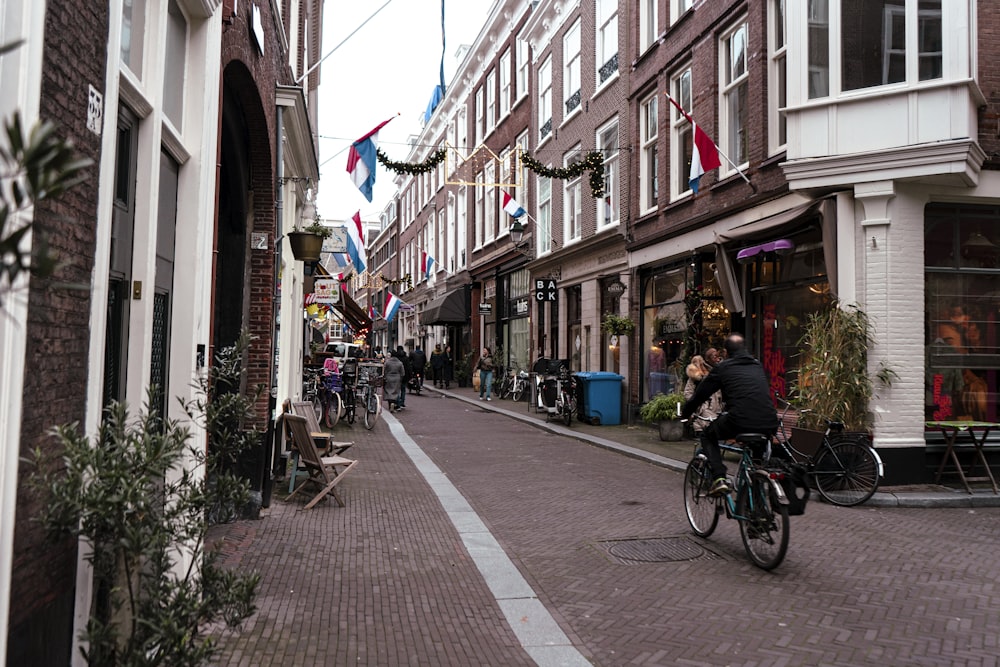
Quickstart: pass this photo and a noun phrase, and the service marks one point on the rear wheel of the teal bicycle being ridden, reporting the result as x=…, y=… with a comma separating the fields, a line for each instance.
x=763, y=523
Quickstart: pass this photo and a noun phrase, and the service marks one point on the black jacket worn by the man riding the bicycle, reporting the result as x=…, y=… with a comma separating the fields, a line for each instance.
x=746, y=393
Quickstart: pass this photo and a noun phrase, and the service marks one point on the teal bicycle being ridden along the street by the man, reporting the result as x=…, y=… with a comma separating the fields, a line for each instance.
x=760, y=505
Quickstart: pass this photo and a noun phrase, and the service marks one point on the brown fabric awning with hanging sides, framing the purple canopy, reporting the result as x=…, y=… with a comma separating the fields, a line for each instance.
x=768, y=229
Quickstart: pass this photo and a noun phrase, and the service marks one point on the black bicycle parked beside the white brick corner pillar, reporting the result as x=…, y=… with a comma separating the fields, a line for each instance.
x=845, y=469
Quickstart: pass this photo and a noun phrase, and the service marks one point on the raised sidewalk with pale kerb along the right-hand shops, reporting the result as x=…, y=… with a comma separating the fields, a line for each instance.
x=643, y=442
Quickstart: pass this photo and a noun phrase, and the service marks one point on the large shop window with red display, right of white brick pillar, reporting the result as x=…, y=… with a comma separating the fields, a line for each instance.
x=962, y=308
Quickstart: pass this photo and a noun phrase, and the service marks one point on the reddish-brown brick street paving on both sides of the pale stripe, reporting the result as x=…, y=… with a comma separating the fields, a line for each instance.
x=387, y=580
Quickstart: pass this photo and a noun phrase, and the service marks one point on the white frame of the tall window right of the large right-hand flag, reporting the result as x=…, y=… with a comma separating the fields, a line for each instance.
x=734, y=76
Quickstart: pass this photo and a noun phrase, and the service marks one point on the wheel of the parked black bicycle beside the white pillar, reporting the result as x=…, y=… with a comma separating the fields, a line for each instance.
x=846, y=472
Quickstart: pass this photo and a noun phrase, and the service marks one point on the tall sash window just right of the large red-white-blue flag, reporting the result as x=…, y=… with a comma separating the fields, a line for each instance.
x=733, y=109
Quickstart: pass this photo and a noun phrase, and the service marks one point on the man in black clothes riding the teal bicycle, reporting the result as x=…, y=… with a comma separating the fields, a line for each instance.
x=746, y=395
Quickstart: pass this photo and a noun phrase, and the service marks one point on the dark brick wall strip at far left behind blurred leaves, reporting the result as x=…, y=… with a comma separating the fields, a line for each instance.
x=58, y=332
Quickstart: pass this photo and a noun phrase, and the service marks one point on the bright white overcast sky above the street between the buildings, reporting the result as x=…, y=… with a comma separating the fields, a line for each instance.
x=389, y=66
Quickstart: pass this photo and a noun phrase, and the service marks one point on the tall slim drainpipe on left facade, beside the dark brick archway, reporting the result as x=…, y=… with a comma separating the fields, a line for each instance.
x=272, y=394
